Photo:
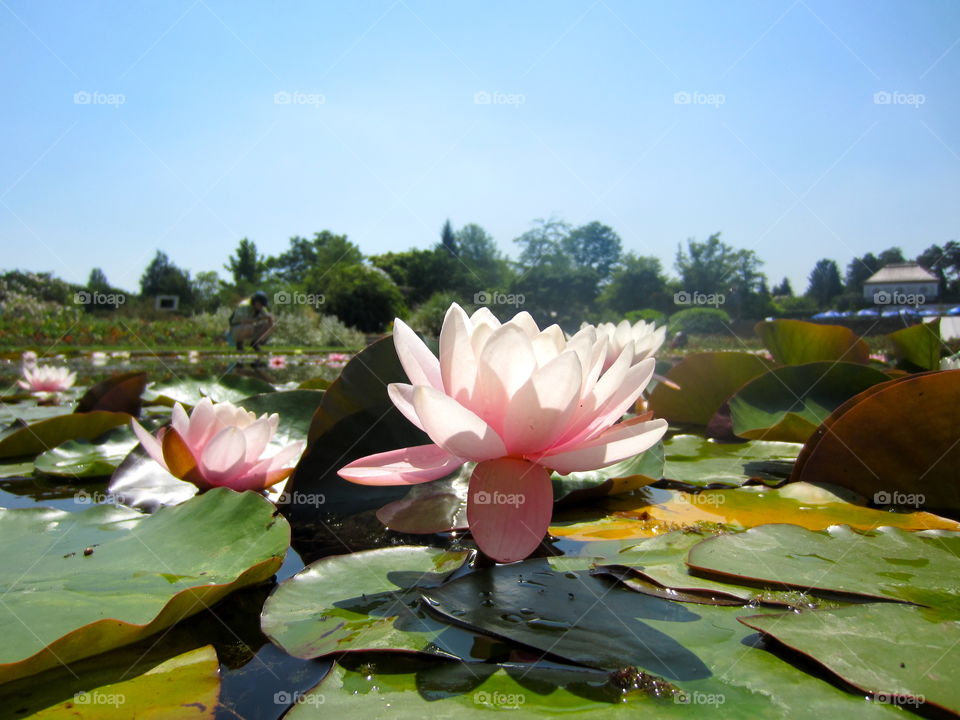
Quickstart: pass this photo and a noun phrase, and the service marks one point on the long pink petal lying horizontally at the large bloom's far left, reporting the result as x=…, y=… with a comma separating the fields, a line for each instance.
x=406, y=466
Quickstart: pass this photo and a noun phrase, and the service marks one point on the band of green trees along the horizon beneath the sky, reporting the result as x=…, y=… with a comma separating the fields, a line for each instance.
x=563, y=273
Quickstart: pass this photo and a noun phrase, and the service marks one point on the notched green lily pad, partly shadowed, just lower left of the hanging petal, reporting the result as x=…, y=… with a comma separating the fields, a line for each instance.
x=367, y=601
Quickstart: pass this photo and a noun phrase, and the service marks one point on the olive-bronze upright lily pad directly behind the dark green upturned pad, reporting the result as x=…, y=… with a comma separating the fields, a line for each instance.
x=796, y=342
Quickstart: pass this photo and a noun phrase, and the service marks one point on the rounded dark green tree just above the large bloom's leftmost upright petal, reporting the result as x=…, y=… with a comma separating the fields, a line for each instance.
x=364, y=297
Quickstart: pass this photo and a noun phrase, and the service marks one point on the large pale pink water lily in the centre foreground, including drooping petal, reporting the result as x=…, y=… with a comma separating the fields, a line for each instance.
x=520, y=402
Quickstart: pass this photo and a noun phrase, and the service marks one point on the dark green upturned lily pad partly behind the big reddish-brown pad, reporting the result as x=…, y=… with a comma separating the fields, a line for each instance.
x=789, y=403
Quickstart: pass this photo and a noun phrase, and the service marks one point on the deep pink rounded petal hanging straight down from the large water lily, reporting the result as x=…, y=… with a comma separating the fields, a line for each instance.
x=509, y=505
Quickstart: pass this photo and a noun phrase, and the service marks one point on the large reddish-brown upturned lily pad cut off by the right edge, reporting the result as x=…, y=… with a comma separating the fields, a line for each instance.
x=896, y=444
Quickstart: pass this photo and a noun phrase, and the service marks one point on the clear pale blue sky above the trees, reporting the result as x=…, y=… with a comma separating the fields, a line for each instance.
x=187, y=125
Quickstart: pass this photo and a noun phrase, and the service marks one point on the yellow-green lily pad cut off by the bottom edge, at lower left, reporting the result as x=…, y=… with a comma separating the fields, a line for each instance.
x=187, y=686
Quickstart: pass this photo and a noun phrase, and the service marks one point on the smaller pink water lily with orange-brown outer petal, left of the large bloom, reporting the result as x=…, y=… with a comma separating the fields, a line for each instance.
x=219, y=445
